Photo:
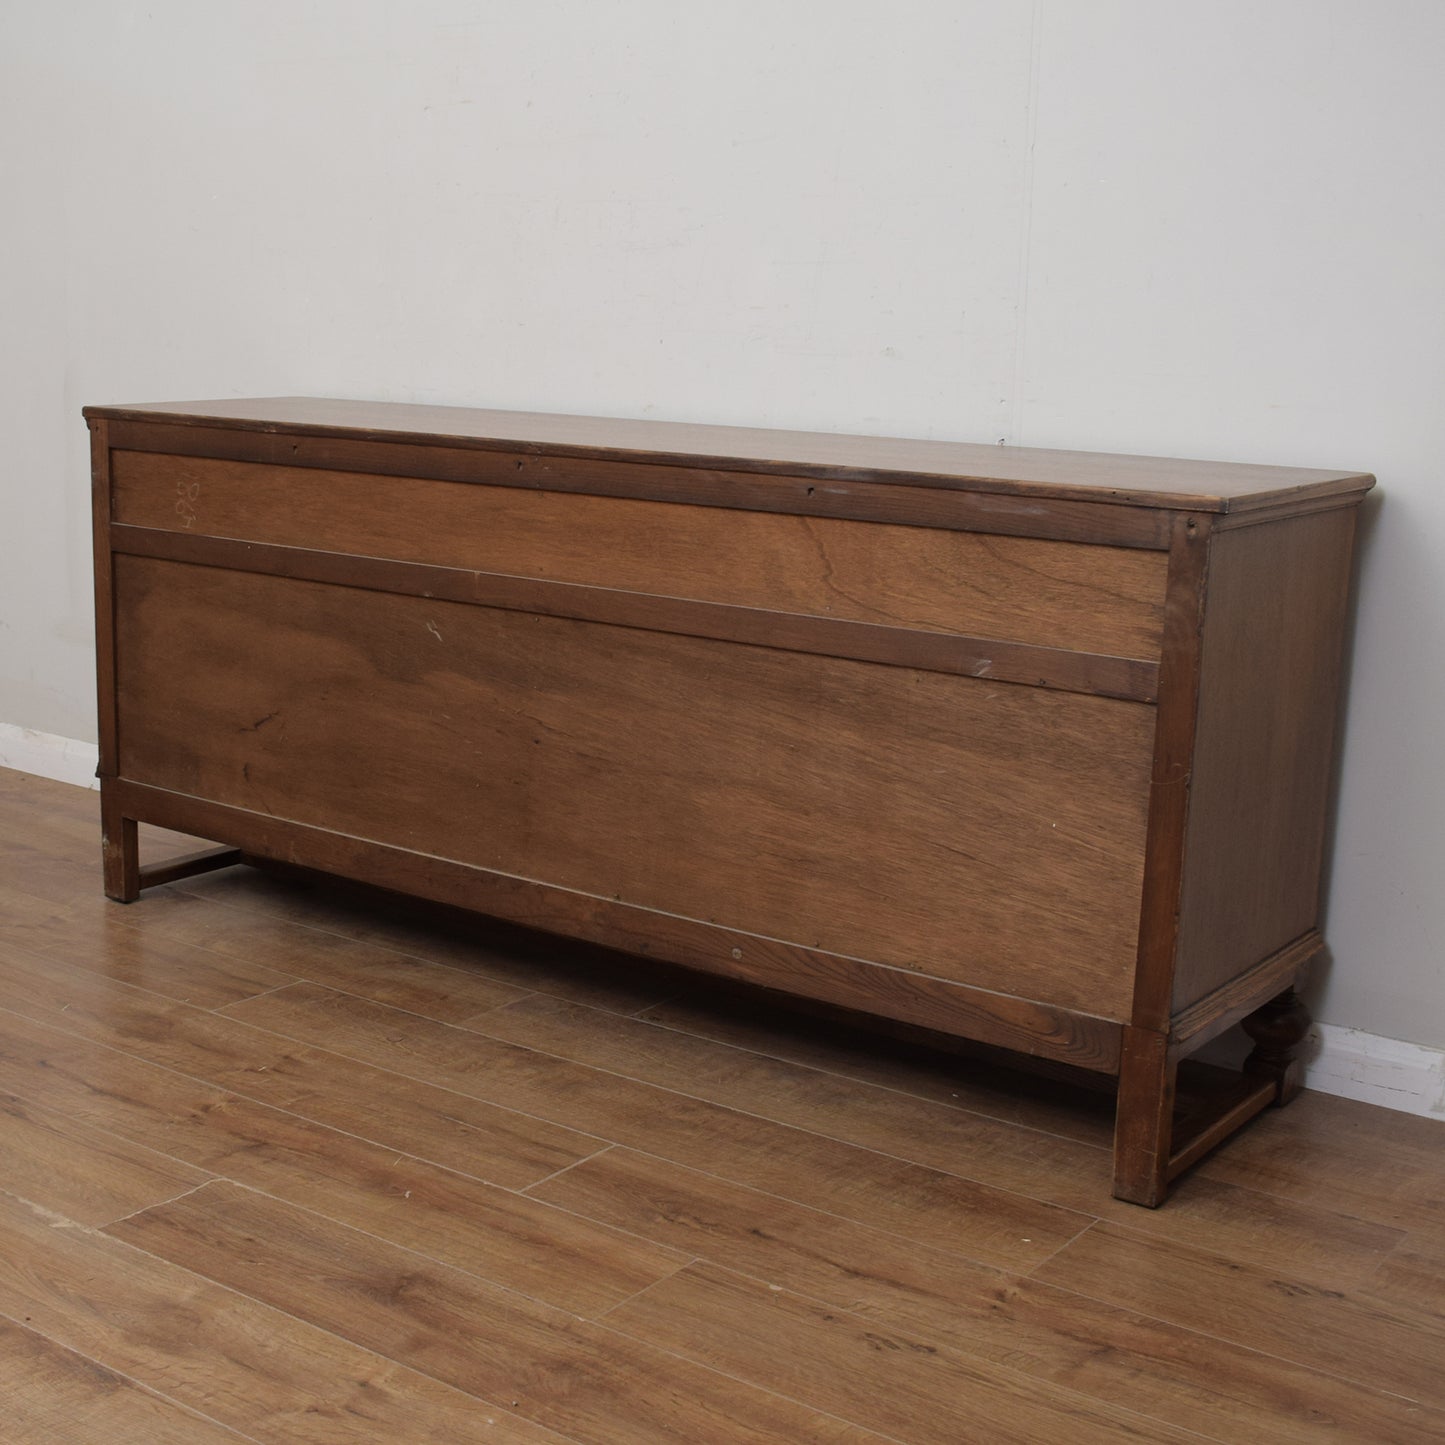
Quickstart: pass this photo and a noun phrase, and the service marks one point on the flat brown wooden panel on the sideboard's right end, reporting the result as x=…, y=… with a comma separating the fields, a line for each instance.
x=1268, y=700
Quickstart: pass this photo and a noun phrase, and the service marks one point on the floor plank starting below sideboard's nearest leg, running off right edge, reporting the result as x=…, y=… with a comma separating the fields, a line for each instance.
x=1389, y=1349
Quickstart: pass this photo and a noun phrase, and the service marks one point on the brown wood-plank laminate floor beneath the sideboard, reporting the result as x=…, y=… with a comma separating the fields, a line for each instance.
x=288, y=1161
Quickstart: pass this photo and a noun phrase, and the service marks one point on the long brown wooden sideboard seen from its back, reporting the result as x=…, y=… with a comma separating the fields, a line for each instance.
x=1030, y=748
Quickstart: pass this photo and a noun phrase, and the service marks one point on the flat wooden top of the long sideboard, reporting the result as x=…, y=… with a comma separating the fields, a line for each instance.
x=1149, y=482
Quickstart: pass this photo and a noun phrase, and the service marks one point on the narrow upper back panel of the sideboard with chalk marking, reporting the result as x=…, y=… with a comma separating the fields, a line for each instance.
x=1106, y=600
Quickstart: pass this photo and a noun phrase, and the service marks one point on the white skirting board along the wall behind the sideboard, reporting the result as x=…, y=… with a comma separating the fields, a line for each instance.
x=1350, y=1063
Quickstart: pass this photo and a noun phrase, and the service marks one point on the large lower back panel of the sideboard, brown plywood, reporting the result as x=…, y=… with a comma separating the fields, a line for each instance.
x=667, y=772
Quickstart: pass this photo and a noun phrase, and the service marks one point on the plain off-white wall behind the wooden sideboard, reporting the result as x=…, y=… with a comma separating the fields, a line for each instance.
x=1209, y=230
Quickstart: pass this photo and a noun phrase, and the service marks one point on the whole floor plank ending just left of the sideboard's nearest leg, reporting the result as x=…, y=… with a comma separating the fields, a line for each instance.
x=892, y=1194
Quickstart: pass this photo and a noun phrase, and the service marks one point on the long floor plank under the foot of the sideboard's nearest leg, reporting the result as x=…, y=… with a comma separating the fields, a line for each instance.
x=1317, y=1245
